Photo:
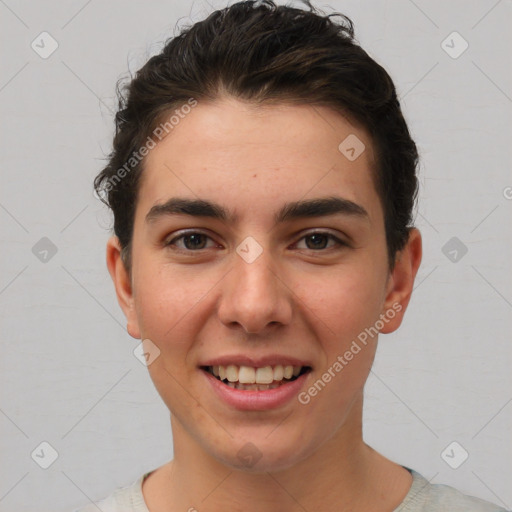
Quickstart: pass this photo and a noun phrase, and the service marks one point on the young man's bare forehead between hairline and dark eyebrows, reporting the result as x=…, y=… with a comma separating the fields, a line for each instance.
x=251, y=158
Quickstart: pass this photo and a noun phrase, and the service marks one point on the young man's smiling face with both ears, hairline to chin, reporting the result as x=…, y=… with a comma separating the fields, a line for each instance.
x=248, y=287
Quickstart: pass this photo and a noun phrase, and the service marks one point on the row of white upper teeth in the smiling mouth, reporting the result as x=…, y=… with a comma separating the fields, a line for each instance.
x=249, y=375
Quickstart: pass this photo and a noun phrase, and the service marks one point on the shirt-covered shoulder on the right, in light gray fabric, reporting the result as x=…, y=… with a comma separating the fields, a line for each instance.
x=426, y=497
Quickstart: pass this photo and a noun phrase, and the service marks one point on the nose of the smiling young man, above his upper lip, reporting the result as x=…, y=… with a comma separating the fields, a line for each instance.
x=255, y=295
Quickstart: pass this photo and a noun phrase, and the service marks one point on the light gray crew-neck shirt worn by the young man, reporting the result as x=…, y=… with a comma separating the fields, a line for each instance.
x=422, y=497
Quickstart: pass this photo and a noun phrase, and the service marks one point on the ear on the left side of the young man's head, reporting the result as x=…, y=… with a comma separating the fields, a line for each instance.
x=123, y=286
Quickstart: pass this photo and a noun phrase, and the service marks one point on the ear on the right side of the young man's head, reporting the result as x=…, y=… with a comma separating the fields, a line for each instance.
x=401, y=281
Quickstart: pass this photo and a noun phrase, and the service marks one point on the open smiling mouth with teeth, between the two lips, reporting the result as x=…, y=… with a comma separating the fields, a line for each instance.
x=247, y=378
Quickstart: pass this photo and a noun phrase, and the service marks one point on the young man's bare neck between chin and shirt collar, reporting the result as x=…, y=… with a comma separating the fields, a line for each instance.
x=342, y=474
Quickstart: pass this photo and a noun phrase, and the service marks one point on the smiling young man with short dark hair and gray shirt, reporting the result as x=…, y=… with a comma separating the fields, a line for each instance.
x=262, y=183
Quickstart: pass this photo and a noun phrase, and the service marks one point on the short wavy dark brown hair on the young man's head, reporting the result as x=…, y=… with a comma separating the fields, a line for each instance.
x=264, y=53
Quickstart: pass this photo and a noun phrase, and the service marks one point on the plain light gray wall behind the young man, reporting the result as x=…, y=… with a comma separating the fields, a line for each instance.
x=69, y=376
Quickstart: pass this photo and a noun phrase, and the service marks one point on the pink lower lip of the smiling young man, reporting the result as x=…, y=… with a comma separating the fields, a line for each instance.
x=254, y=400
